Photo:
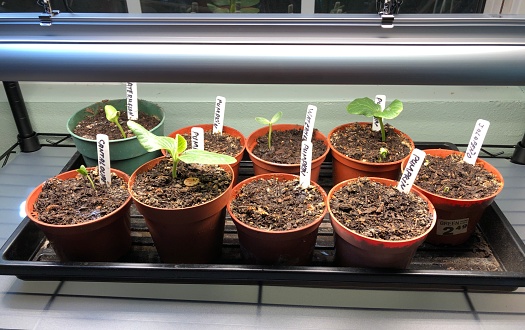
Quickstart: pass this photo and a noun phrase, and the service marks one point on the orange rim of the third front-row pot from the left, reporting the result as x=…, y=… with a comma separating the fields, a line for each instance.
x=285, y=177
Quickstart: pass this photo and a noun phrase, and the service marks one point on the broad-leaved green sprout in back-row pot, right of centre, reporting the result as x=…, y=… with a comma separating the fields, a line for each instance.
x=367, y=107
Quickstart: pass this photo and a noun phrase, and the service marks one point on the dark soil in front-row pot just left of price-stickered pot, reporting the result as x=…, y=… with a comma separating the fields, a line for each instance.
x=381, y=212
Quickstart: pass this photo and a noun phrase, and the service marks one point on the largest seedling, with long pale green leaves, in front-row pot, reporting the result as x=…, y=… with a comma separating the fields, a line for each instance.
x=177, y=148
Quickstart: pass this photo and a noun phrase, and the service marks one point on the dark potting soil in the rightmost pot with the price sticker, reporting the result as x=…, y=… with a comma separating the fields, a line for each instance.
x=453, y=178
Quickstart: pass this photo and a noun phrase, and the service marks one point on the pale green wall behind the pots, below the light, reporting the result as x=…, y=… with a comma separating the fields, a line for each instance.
x=432, y=113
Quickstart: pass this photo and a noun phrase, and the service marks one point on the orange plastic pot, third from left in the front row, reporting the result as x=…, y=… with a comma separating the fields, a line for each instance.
x=292, y=247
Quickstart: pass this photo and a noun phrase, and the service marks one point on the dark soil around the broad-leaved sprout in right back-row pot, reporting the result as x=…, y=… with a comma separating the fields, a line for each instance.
x=361, y=143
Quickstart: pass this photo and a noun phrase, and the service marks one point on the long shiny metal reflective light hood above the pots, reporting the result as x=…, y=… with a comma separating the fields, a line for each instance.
x=239, y=48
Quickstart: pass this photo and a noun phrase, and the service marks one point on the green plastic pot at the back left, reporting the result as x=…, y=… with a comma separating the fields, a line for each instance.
x=125, y=154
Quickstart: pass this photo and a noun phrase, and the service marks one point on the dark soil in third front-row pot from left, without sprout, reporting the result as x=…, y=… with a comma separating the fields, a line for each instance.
x=277, y=205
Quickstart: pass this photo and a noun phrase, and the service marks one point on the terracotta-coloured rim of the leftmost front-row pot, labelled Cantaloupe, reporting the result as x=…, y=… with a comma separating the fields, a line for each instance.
x=30, y=209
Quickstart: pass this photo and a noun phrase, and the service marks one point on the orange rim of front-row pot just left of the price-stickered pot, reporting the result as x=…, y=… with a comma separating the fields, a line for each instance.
x=431, y=210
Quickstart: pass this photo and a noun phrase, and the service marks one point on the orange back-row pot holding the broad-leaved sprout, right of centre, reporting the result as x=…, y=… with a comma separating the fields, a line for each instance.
x=344, y=167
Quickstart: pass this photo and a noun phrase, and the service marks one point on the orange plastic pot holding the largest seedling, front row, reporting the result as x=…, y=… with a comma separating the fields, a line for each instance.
x=185, y=235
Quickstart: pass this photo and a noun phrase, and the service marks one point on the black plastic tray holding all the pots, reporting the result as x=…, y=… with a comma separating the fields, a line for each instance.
x=493, y=259
